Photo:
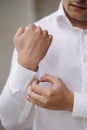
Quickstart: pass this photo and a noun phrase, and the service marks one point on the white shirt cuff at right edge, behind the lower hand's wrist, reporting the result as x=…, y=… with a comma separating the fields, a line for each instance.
x=80, y=105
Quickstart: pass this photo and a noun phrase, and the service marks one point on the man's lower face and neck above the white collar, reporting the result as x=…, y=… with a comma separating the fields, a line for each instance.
x=76, y=11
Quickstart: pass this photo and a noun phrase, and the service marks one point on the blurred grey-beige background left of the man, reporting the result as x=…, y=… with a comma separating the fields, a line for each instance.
x=13, y=14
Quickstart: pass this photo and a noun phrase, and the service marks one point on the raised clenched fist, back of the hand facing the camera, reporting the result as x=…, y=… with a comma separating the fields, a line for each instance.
x=32, y=45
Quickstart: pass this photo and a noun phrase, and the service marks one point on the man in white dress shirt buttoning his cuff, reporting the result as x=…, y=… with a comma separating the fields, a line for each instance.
x=47, y=84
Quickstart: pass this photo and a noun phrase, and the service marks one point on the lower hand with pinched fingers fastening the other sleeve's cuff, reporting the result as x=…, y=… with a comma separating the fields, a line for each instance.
x=55, y=97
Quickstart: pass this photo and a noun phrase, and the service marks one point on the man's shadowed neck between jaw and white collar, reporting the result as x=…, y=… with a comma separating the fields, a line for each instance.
x=77, y=23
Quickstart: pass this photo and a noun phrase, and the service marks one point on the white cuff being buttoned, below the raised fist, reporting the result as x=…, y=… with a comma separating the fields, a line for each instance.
x=22, y=77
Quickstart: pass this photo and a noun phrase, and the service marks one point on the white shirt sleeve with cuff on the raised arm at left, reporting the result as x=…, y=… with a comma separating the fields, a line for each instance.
x=16, y=113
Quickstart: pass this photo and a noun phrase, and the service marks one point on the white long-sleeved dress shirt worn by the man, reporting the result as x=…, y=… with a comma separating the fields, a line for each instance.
x=67, y=59
